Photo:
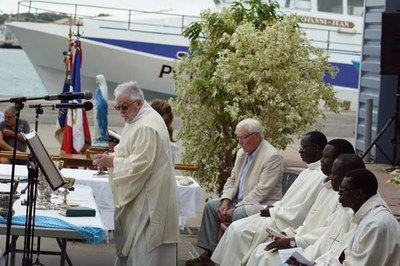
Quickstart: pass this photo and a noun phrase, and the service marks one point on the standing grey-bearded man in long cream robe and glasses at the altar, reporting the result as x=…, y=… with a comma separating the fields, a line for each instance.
x=143, y=184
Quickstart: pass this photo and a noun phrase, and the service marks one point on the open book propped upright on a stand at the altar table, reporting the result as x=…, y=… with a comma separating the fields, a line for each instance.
x=46, y=164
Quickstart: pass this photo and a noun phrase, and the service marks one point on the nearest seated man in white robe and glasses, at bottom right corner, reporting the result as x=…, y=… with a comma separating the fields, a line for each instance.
x=376, y=238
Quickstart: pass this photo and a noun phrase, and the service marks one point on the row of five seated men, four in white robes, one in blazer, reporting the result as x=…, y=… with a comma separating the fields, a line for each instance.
x=332, y=211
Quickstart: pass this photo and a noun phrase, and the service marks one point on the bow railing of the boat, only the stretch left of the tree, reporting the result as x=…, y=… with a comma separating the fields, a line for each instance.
x=119, y=18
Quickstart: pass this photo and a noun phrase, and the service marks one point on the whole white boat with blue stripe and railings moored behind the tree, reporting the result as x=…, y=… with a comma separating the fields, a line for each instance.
x=129, y=44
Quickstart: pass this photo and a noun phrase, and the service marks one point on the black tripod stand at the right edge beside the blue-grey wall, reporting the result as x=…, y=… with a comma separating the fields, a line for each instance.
x=395, y=118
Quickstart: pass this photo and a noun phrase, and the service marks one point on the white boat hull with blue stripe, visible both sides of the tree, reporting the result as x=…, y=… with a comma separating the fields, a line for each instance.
x=145, y=51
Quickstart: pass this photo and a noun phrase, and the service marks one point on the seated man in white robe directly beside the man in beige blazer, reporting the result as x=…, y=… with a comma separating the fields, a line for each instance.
x=291, y=210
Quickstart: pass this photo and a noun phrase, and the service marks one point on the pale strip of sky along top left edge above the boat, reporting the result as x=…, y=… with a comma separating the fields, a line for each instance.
x=11, y=6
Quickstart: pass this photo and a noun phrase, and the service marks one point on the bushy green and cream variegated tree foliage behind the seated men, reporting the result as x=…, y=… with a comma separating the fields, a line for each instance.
x=246, y=63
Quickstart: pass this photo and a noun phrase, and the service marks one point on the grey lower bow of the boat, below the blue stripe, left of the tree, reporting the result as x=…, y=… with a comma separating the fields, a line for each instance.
x=98, y=58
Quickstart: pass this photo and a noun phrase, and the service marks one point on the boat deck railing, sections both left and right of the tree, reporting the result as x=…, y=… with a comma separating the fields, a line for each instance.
x=162, y=22
